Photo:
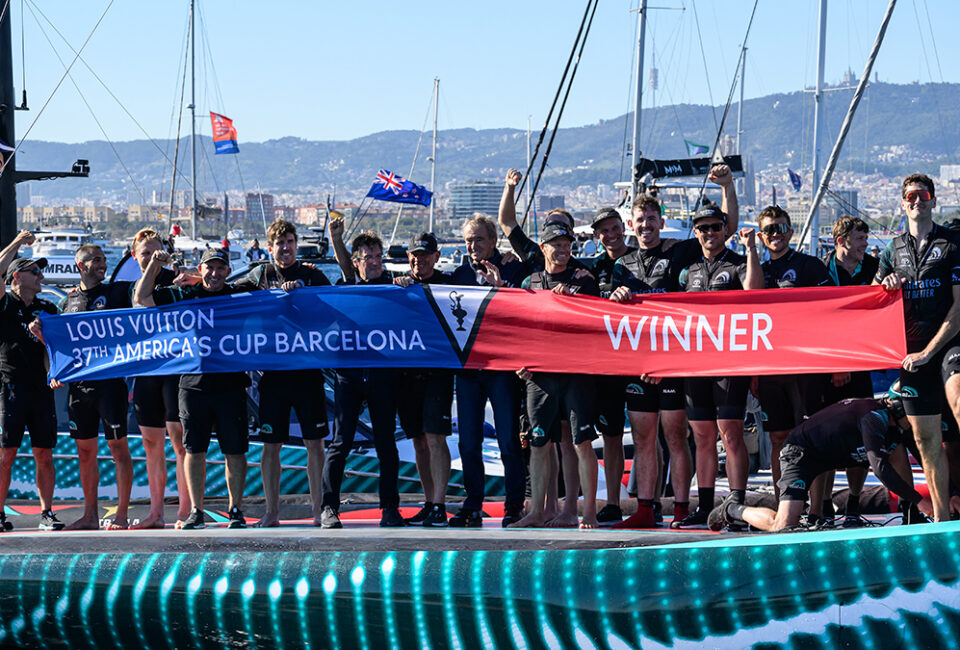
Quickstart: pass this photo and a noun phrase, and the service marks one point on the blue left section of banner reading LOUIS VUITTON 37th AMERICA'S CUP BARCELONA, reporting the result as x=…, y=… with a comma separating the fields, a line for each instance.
x=330, y=327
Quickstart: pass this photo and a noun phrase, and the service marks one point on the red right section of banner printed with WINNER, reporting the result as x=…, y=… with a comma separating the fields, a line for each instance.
x=774, y=331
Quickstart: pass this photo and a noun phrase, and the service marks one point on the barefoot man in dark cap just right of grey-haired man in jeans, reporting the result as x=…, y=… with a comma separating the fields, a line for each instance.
x=553, y=396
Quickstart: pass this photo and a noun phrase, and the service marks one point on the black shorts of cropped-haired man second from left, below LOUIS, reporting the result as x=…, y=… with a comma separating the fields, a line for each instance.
x=103, y=401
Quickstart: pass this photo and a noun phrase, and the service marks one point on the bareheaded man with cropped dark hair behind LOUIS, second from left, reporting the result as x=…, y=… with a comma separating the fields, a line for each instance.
x=93, y=402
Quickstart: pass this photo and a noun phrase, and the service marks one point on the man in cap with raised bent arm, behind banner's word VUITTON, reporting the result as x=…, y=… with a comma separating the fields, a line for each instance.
x=207, y=401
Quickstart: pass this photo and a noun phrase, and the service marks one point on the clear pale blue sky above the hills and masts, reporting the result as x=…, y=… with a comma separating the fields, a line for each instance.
x=324, y=70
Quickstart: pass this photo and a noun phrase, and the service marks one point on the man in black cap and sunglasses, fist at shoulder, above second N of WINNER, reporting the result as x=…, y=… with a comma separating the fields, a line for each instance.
x=718, y=403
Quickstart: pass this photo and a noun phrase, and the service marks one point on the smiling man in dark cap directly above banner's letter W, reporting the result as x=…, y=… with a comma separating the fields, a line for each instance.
x=610, y=389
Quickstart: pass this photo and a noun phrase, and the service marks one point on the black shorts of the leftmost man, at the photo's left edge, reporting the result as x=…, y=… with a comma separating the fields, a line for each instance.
x=27, y=407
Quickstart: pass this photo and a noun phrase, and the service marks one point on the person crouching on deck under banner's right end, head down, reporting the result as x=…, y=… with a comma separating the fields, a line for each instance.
x=851, y=432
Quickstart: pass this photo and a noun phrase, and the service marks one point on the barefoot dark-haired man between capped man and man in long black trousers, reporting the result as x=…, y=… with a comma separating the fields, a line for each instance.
x=283, y=390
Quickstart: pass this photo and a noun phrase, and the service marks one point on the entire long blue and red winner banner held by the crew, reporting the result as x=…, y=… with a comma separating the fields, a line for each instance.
x=773, y=331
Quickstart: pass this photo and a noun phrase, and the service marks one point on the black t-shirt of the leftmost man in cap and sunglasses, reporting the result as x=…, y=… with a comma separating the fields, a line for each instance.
x=21, y=353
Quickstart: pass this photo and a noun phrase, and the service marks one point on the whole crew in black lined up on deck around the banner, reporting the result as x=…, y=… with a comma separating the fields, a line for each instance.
x=545, y=423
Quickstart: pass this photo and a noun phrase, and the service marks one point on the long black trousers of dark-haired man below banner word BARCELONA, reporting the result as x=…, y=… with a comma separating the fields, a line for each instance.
x=376, y=387
